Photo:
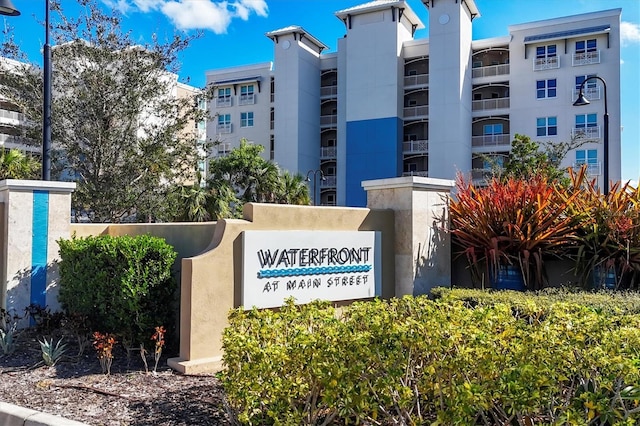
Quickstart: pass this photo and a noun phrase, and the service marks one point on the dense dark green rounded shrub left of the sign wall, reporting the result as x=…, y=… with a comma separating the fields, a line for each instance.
x=122, y=285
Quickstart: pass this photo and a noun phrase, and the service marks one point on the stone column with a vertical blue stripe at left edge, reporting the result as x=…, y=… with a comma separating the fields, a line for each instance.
x=33, y=216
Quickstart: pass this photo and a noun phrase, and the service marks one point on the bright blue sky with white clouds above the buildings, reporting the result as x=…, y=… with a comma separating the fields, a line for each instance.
x=233, y=34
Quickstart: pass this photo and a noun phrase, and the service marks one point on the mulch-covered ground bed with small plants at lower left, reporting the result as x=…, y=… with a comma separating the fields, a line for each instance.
x=77, y=389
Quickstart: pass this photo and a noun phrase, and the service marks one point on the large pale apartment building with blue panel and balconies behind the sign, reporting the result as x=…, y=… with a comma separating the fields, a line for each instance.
x=387, y=104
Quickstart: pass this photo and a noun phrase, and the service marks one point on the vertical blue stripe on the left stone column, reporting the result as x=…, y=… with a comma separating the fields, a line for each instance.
x=39, y=240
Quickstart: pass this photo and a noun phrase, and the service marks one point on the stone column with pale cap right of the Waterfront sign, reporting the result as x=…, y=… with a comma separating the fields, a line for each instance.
x=422, y=247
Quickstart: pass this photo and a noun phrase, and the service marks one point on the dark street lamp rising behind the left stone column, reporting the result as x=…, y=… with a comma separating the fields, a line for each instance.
x=7, y=8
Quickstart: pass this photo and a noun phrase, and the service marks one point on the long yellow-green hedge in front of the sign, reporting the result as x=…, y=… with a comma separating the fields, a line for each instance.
x=443, y=362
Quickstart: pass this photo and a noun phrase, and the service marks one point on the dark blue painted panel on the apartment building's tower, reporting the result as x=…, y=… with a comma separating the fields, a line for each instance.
x=374, y=151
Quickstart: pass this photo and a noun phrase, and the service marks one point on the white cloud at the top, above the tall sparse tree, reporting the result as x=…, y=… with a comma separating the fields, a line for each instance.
x=214, y=15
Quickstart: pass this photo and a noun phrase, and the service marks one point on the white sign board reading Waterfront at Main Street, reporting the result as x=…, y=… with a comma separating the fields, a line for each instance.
x=309, y=265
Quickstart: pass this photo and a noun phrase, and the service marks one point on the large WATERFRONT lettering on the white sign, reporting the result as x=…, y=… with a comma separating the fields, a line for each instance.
x=313, y=256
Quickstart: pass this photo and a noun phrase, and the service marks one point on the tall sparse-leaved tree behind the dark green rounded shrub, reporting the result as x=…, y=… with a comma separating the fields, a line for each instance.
x=118, y=128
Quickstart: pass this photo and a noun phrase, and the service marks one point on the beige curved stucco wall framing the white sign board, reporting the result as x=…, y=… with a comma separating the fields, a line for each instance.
x=211, y=282
